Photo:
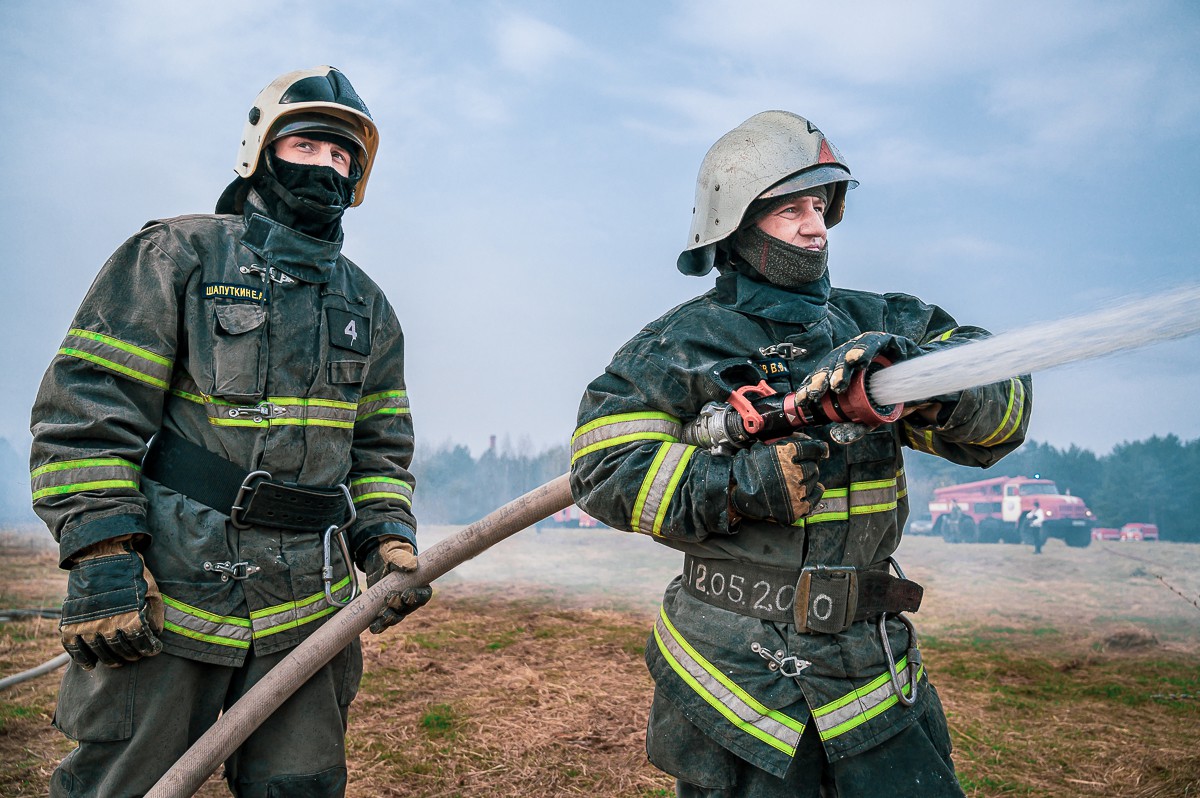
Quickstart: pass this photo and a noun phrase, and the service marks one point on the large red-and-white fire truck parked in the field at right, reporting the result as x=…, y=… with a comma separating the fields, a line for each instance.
x=997, y=511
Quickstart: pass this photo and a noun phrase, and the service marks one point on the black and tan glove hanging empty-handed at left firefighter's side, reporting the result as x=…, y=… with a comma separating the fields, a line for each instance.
x=113, y=613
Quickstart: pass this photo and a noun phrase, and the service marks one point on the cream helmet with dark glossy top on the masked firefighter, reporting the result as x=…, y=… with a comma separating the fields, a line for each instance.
x=320, y=101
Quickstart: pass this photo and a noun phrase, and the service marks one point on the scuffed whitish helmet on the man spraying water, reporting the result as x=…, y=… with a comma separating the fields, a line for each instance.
x=772, y=154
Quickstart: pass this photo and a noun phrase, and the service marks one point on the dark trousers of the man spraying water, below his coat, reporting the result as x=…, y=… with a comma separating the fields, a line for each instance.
x=915, y=764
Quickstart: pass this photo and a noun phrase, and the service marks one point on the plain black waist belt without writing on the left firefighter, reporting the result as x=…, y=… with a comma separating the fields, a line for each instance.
x=248, y=499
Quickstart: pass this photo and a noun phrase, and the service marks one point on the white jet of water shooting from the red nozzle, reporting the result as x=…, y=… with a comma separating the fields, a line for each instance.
x=1043, y=346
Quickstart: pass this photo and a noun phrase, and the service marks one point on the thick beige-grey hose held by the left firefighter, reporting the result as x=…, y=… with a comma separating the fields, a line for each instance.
x=236, y=725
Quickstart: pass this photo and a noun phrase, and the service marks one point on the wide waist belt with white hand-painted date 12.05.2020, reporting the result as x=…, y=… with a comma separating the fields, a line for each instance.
x=823, y=599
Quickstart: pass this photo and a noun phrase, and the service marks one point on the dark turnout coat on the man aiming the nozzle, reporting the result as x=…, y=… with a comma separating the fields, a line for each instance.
x=631, y=470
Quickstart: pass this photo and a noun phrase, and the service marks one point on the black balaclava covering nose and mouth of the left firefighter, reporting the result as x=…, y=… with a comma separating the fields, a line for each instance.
x=310, y=200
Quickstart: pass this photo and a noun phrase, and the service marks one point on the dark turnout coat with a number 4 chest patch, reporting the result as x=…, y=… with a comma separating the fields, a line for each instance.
x=266, y=347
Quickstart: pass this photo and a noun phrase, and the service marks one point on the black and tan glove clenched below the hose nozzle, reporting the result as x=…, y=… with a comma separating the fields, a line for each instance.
x=778, y=482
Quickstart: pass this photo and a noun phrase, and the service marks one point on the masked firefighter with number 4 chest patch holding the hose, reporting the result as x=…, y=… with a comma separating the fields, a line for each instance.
x=224, y=435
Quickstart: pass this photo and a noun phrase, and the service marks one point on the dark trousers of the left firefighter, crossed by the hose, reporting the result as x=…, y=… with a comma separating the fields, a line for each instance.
x=135, y=722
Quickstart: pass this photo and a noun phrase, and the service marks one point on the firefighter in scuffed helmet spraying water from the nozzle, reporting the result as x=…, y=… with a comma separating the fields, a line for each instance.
x=782, y=659
